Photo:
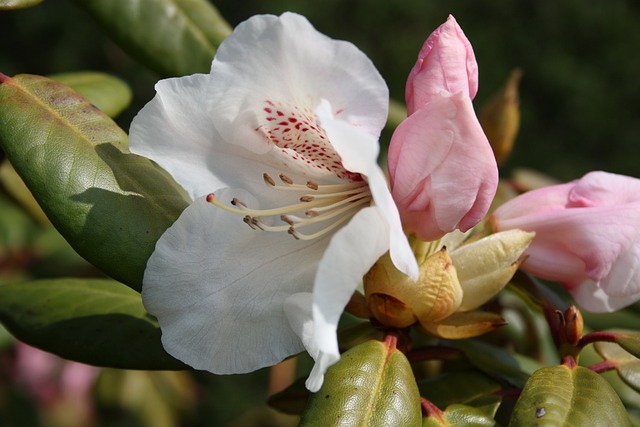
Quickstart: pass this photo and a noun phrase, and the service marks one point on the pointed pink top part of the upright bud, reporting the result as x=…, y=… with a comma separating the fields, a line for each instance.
x=446, y=65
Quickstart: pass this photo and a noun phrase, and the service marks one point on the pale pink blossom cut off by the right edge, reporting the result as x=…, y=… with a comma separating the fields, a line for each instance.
x=587, y=237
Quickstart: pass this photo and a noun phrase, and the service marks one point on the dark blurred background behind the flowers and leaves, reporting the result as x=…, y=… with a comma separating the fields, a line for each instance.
x=581, y=62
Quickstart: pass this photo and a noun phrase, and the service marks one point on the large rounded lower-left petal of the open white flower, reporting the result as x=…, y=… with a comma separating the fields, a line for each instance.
x=217, y=288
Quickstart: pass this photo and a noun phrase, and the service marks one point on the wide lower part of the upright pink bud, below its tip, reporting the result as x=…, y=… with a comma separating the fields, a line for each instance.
x=443, y=171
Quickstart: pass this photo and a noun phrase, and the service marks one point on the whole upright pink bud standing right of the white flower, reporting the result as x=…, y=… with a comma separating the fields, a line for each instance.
x=442, y=168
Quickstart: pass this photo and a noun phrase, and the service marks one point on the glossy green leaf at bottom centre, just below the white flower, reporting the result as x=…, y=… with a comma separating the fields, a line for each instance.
x=371, y=385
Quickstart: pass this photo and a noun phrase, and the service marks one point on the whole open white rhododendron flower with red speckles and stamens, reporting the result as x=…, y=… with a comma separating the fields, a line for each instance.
x=278, y=148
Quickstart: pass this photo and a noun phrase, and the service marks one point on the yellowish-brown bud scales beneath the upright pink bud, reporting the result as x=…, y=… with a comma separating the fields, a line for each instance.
x=457, y=276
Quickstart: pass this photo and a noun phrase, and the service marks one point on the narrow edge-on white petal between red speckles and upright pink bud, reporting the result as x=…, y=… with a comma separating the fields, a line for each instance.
x=359, y=153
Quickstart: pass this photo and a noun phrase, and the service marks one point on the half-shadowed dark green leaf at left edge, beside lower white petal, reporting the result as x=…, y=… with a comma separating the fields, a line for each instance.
x=95, y=321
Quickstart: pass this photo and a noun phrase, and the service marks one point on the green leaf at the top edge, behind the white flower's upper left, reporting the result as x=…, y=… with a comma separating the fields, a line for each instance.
x=172, y=37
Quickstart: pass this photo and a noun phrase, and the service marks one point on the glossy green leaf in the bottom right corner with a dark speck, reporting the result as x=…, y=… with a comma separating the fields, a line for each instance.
x=568, y=396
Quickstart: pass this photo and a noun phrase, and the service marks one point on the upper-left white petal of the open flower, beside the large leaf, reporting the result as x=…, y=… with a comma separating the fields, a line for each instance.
x=176, y=131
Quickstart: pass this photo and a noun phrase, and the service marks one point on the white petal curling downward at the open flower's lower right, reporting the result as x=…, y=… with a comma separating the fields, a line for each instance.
x=351, y=253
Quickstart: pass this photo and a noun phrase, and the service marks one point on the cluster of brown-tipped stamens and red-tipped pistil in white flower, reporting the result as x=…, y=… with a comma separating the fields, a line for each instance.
x=320, y=208
